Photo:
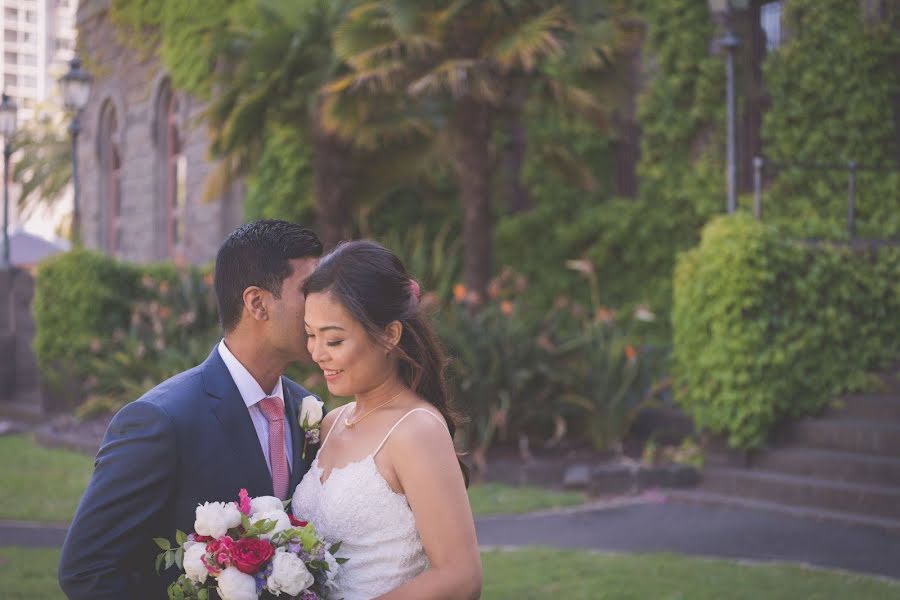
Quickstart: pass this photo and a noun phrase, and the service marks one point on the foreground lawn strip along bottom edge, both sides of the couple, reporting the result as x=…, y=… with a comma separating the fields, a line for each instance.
x=28, y=574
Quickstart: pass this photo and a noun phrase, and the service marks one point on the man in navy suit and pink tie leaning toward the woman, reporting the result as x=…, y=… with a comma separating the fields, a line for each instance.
x=228, y=423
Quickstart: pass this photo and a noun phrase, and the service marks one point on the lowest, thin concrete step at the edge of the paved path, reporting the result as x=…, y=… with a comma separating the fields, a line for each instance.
x=703, y=498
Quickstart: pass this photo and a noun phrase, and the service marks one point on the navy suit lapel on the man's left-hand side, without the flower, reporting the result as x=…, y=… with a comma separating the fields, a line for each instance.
x=240, y=435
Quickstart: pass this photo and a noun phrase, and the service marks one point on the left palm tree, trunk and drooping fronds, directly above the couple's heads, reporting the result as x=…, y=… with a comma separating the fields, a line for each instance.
x=276, y=72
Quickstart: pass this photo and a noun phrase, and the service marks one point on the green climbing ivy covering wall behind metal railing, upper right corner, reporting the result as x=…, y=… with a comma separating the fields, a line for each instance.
x=834, y=87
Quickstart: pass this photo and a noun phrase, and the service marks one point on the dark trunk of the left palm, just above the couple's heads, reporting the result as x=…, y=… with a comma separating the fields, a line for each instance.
x=334, y=169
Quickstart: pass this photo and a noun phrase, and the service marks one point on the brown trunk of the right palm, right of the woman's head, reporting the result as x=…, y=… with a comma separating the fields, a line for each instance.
x=472, y=129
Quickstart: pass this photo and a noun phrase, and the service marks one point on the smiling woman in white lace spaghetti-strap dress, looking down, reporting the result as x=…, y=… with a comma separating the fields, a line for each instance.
x=386, y=481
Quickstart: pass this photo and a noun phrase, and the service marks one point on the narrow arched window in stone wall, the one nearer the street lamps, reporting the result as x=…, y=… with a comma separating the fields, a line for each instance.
x=110, y=187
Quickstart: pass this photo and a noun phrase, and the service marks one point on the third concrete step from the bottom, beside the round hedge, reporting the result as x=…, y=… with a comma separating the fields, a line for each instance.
x=830, y=464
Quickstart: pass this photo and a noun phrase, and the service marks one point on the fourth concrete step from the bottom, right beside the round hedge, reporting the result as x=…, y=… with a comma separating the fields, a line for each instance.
x=845, y=435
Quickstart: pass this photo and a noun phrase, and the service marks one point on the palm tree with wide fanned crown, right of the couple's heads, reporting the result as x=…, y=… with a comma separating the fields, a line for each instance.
x=474, y=63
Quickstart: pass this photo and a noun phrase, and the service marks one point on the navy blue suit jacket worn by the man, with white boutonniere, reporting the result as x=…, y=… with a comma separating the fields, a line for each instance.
x=187, y=441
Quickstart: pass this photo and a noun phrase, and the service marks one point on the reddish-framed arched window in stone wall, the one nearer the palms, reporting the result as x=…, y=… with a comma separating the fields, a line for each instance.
x=173, y=169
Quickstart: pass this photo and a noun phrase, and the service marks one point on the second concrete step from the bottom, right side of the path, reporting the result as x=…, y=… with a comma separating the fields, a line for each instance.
x=811, y=492
